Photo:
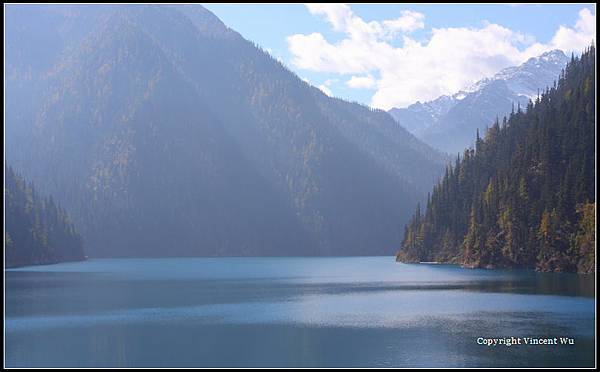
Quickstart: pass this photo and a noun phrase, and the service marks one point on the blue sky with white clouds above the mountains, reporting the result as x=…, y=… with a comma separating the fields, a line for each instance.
x=393, y=55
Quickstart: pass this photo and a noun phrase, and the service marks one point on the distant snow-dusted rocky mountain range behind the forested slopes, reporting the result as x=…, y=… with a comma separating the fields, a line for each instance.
x=449, y=123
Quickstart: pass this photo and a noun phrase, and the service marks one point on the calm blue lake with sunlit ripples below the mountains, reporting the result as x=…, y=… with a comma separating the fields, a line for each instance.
x=292, y=312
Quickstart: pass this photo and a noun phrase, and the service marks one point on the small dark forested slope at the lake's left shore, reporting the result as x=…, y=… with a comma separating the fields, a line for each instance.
x=37, y=230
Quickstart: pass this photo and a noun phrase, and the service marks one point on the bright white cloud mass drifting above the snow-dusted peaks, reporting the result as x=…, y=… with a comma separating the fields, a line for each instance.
x=451, y=59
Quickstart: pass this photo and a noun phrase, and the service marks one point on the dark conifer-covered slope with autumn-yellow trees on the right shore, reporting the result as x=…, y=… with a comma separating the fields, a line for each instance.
x=525, y=195
